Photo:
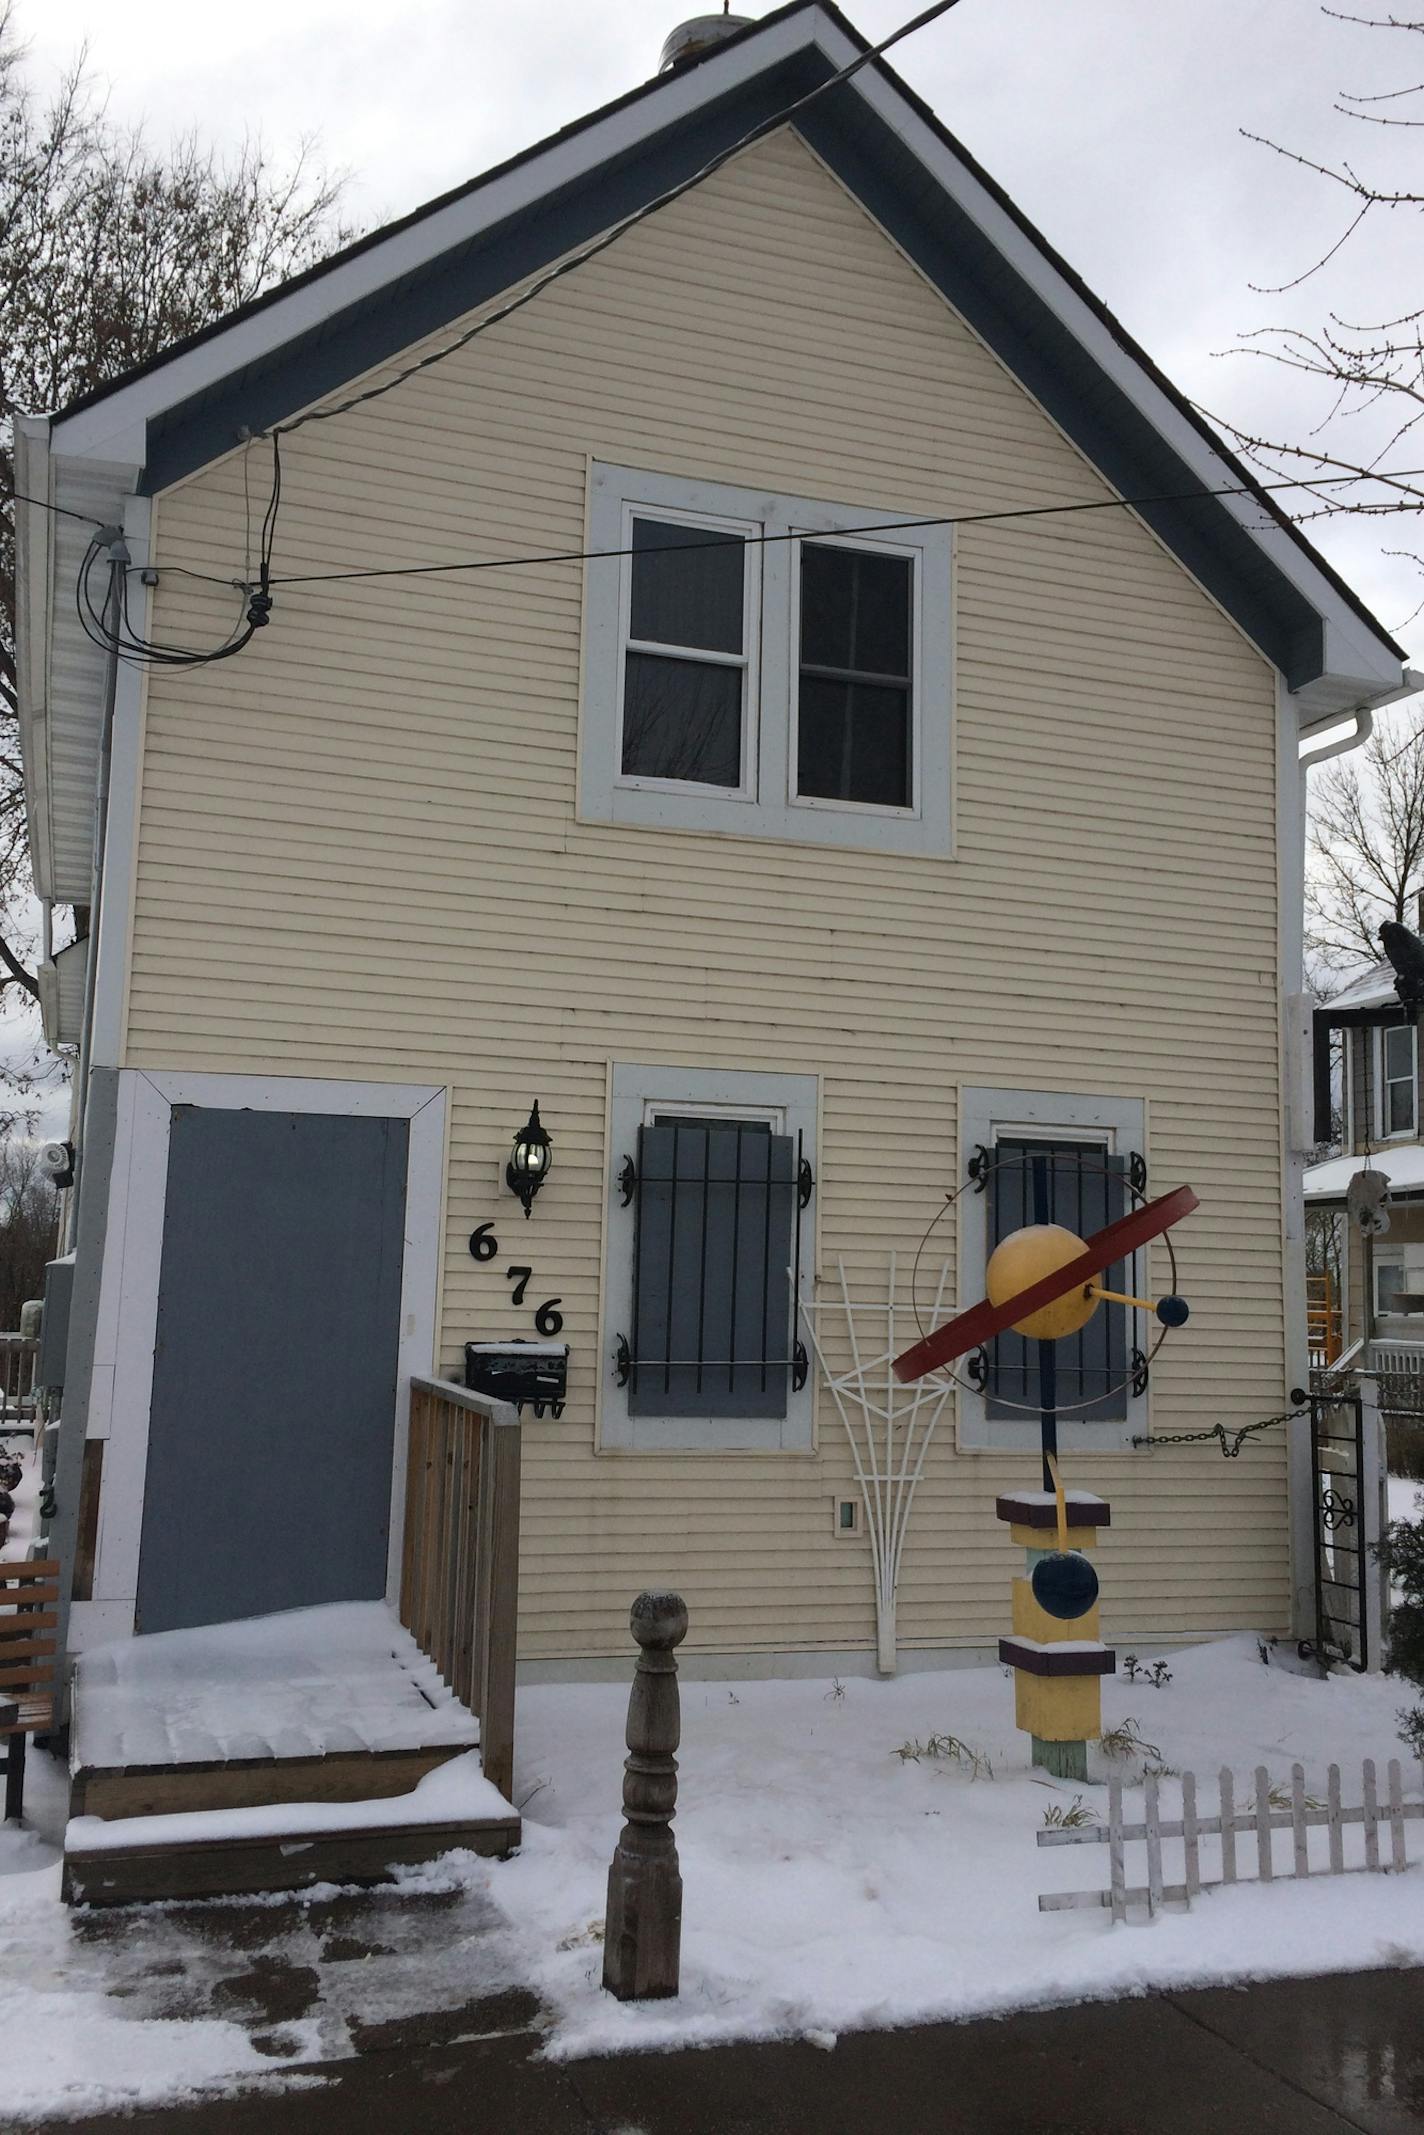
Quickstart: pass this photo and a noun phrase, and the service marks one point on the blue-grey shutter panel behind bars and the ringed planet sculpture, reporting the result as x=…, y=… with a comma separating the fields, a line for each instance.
x=1086, y=1190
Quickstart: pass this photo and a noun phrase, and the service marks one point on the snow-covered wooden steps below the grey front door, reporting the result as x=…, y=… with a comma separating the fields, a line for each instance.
x=272, y=1754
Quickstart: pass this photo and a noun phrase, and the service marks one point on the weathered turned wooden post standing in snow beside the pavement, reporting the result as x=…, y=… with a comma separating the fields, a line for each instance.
x=646, y=1893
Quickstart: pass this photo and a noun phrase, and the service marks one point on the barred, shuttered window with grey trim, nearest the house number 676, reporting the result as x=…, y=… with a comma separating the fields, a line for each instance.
x=710, y=1239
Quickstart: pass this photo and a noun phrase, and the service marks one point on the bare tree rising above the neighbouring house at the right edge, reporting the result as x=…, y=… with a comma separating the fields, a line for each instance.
x=1365, y=849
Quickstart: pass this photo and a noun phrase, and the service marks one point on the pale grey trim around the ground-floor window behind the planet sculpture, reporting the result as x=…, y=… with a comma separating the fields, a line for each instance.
x=985, y=1116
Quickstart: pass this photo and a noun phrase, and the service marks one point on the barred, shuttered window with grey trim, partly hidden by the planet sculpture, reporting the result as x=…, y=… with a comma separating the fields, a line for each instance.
x=1051, y=1158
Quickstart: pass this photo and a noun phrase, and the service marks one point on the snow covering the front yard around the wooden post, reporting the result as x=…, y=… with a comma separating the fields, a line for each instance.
x=829, y=1884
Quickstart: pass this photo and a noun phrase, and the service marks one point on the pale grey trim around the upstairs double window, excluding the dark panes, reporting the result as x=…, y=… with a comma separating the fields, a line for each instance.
x=772, y=806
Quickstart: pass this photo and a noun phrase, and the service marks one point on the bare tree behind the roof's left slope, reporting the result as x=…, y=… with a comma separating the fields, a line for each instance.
x=112, y=251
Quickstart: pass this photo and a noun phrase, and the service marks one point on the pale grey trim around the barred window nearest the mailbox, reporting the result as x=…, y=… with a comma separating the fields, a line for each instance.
x=791, y=1103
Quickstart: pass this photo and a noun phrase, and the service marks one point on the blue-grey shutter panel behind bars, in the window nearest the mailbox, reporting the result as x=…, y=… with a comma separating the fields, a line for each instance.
x=712, y=1256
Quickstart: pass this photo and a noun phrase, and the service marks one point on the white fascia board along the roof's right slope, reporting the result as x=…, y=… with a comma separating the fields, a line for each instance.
x=1352, y=650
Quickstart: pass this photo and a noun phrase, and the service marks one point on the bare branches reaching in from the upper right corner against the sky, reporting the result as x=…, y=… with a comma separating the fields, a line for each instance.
x=1367, y=368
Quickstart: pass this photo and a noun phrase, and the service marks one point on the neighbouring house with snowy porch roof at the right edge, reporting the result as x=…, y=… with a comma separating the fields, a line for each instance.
x=1380, y=1128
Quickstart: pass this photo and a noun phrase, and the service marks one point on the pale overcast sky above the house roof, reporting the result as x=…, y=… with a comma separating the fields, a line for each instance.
x=1118, y=127
